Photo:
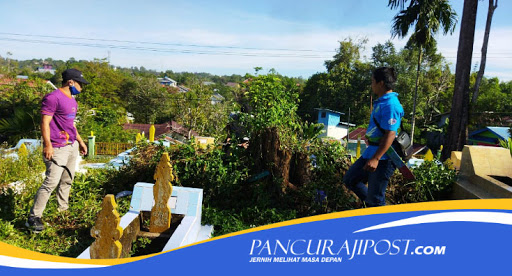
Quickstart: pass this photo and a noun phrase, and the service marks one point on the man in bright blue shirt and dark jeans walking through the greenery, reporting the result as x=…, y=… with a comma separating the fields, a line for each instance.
x=374, y=165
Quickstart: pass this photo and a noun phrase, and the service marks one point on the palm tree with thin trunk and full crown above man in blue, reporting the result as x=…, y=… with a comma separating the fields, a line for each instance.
x=427, y=16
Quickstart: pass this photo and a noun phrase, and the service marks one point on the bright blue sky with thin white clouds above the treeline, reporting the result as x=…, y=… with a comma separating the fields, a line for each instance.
x=224, y=37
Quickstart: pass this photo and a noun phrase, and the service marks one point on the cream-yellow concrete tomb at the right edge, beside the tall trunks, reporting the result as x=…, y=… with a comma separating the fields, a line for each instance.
x=485, y=172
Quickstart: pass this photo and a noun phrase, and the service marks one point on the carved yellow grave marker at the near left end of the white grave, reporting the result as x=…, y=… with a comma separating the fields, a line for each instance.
x=107, y=231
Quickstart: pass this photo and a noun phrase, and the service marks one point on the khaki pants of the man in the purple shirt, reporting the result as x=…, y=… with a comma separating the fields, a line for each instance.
x=56, y=177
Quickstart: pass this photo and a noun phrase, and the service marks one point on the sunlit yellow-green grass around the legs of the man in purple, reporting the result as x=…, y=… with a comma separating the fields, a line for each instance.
x=67, y=233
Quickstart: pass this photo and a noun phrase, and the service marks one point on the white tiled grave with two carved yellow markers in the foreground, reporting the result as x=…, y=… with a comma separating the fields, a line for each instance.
x=150, y=217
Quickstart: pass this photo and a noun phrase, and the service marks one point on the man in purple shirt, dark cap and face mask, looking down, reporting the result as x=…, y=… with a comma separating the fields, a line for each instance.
x=61, y=143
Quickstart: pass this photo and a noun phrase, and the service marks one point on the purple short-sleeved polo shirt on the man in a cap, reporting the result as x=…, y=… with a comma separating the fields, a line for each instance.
x=63, y=109
